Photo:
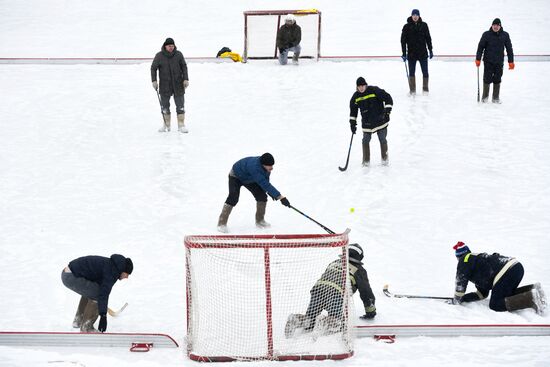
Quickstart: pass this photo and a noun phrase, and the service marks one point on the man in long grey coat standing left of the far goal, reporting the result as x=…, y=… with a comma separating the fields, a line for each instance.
x=172, y=70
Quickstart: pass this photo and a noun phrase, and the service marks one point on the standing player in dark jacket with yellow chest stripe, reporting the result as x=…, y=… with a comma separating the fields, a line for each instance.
x=375, y=105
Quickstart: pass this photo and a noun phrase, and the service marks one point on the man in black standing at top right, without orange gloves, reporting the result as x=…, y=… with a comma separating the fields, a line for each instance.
x=415, y=37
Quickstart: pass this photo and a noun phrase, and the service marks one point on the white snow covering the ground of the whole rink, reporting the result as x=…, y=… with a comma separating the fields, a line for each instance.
x=84, y=170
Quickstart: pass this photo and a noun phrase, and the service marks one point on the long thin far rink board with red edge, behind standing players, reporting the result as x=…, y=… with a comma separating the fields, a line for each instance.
x=142, y=60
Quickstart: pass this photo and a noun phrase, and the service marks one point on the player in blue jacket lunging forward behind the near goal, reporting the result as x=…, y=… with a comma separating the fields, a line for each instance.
x=252, y=173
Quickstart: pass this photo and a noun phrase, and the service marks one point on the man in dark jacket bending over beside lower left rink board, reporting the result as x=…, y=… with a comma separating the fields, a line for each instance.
x=93, y=278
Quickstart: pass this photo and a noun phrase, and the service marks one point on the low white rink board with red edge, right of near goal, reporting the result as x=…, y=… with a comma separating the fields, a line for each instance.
x=377, y=331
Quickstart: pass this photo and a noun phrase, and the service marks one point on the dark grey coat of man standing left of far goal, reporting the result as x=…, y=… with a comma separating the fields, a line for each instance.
x=172, y=70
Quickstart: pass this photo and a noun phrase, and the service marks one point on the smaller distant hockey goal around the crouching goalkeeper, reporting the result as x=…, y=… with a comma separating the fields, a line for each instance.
x=260, y=33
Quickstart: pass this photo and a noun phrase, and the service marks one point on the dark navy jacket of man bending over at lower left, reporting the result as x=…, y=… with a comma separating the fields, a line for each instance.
x=101, y=270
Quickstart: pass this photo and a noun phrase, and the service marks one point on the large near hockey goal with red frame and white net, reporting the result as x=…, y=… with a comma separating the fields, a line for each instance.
x=243, y=291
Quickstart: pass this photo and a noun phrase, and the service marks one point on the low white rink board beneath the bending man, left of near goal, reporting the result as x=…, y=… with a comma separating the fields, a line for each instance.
x=68, y=339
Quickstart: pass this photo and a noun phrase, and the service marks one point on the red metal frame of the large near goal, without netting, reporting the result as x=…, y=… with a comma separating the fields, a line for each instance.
x=271, y=242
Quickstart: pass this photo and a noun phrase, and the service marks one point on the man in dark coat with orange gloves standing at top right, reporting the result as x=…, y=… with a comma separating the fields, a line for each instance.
x=491, y=46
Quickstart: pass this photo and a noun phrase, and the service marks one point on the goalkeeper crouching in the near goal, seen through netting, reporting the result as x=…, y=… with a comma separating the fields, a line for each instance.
x=327, y=294
